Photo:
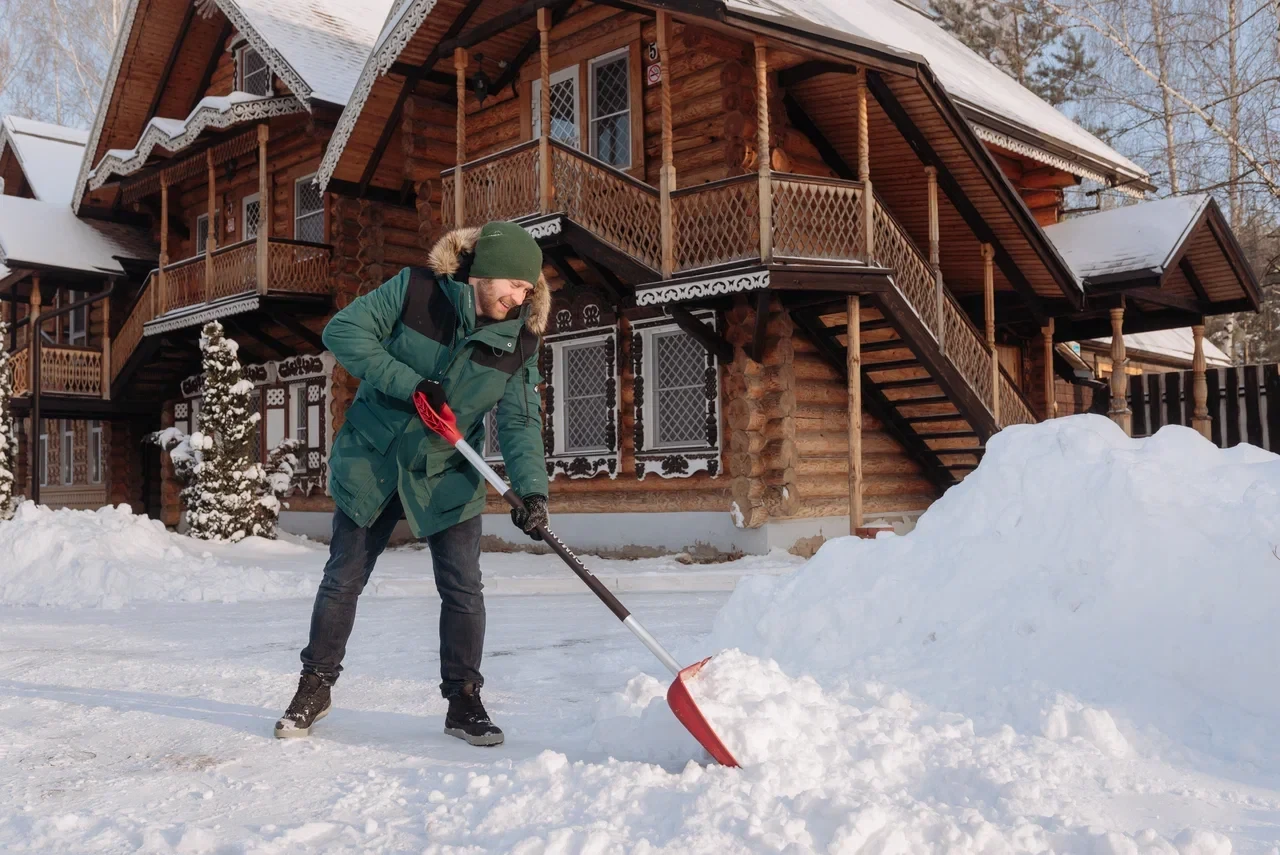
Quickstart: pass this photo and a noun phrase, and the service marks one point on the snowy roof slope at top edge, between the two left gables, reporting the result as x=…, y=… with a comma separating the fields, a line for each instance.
x=324, y=43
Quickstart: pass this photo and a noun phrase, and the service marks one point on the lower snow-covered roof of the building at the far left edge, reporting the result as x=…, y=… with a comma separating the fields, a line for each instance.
x=49, y=235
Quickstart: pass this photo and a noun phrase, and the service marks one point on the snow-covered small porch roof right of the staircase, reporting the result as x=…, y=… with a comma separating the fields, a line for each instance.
x=1133, y=239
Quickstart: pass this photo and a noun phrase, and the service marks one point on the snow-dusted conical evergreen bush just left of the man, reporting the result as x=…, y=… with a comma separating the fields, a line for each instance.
x=227, y=496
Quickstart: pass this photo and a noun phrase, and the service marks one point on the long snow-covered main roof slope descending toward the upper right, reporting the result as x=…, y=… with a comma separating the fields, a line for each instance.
x=967, y=77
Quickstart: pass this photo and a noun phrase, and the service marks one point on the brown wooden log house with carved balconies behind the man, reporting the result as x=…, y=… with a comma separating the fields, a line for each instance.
x=803, y=272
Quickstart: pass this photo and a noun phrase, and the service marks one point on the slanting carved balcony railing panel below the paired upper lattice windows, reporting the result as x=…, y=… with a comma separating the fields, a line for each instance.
x=612, y=205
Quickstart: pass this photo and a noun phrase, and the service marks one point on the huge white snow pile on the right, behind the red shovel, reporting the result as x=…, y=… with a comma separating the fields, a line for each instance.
x=1078, y=584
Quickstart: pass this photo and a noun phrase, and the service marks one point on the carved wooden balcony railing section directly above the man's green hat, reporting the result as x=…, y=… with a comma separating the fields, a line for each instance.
x=500, y=188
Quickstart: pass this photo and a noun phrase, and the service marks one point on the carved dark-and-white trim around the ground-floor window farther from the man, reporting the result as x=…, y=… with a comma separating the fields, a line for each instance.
x=674, y=463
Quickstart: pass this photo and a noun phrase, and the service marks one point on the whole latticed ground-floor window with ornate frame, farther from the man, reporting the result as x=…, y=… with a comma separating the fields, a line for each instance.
x=676, y=401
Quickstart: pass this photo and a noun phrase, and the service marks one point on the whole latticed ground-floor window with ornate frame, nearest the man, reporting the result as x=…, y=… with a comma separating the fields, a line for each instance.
x=582, y=403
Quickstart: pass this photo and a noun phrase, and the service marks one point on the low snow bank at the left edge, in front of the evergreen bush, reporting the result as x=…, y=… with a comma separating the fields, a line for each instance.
x=109, y=557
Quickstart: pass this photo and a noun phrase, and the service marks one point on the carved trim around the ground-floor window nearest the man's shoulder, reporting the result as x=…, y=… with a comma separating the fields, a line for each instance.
x=579, y=465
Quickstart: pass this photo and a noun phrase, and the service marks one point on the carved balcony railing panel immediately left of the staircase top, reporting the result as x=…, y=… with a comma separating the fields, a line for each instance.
x=817, y=218
